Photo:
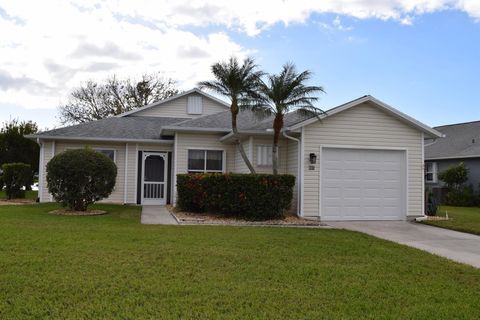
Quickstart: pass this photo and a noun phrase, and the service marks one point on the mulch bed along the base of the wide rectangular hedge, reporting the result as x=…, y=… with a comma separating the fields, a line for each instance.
x=215, y=219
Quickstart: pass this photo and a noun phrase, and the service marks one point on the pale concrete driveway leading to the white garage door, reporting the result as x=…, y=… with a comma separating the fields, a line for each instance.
x=457, y=246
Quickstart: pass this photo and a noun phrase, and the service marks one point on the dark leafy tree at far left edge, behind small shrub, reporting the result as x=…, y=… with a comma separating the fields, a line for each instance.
x=14, y=147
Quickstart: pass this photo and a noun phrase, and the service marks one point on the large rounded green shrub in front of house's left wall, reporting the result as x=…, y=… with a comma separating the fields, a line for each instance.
x=78, y=178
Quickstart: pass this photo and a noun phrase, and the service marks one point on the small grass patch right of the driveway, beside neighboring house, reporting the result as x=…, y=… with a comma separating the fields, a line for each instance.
x=460, y=219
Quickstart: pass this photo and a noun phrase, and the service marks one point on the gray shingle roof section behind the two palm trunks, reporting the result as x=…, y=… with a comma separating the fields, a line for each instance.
x=247, y=120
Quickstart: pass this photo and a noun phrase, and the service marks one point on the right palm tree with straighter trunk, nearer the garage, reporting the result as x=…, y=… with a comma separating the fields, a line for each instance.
x=283, y=93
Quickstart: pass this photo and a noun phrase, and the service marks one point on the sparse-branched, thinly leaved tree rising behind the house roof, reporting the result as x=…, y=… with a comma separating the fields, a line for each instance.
x=95, y=101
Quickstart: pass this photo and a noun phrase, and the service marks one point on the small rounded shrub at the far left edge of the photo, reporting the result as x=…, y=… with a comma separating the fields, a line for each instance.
x=16, y=176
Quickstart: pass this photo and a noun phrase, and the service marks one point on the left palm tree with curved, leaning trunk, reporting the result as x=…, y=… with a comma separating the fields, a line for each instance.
x=239, y=83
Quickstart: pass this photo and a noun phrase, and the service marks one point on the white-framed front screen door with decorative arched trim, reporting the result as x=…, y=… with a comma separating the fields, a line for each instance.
x=154, y=178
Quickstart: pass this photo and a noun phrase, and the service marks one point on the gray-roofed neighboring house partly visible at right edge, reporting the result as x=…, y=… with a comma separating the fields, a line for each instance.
x=460, y=144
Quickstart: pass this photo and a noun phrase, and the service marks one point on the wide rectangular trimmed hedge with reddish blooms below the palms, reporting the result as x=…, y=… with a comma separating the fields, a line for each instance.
x=250, y=196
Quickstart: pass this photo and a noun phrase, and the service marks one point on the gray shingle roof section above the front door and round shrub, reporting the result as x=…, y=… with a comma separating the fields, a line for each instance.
x=138, y=128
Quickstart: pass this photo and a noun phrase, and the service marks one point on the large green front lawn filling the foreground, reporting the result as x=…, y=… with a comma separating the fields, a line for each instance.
x=111, y=267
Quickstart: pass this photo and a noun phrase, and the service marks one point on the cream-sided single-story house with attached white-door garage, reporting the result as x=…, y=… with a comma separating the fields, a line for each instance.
x=362, y=160
